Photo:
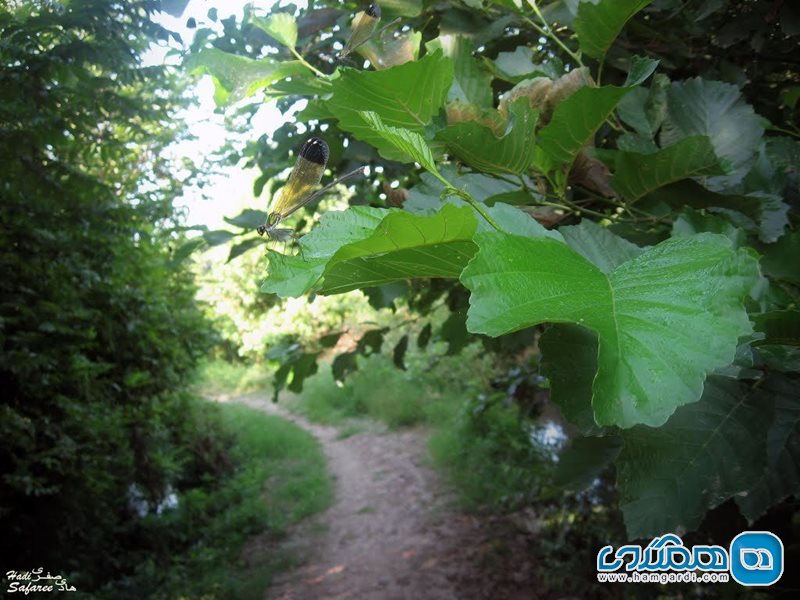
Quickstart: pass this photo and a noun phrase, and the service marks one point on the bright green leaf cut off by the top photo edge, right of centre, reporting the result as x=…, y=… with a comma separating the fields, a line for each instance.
x=598, y=25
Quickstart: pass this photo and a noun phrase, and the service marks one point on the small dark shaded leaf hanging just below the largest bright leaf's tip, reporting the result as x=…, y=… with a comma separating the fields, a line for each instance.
x=584, y=460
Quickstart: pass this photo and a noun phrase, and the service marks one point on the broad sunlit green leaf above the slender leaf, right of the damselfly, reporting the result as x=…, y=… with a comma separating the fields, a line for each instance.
x=406, y=96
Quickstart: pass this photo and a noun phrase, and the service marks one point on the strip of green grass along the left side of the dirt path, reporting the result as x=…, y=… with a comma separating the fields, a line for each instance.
x=280, y=478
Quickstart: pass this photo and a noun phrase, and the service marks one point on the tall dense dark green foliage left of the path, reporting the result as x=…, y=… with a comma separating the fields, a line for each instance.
x=98, y=326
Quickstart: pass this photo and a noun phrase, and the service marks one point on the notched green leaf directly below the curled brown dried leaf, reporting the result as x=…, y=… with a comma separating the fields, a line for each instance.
x=479, y=147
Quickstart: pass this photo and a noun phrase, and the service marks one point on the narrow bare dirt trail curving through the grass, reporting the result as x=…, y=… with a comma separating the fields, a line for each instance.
x=392, y=532
